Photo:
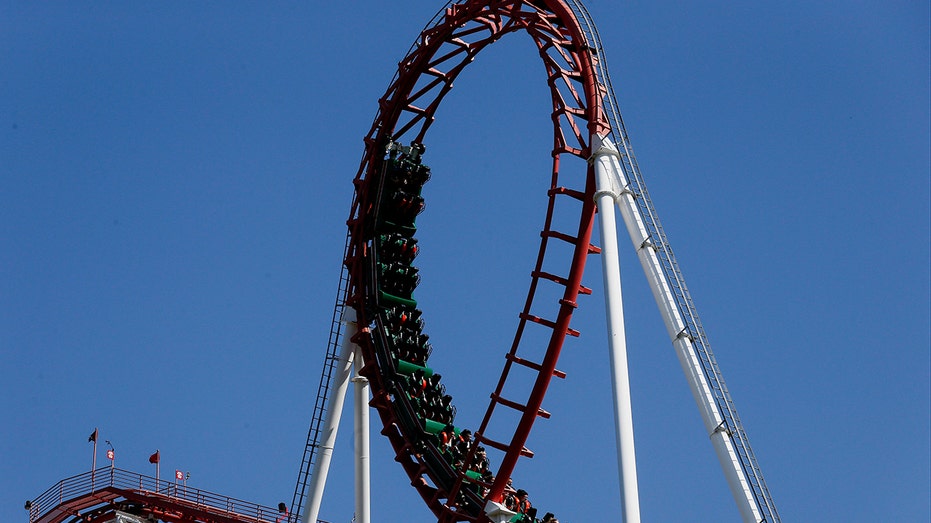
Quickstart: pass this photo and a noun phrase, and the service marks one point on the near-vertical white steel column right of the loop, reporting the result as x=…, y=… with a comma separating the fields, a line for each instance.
x=605, y=196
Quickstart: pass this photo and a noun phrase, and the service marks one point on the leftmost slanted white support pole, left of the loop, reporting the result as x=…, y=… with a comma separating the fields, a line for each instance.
x=331, y=421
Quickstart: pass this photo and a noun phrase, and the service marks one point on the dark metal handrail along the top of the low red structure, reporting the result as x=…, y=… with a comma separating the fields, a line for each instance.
x=105, y=480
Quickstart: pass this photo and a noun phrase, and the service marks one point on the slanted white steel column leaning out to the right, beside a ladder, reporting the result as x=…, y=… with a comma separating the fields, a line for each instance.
x=676, y=327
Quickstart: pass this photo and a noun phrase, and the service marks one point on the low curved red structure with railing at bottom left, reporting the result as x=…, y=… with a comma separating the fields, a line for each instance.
x=113, y=495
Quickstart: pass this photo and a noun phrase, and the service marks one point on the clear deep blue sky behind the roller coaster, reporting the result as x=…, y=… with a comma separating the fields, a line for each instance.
x=175, y=180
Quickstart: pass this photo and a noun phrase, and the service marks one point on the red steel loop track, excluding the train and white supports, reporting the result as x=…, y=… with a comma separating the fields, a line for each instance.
x=406, y=112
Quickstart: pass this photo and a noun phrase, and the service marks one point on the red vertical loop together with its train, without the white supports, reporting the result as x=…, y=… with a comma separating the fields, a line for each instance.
x=456, y=471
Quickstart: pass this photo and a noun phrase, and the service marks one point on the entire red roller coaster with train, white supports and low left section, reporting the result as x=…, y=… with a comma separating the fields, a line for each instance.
x=378, y=329
